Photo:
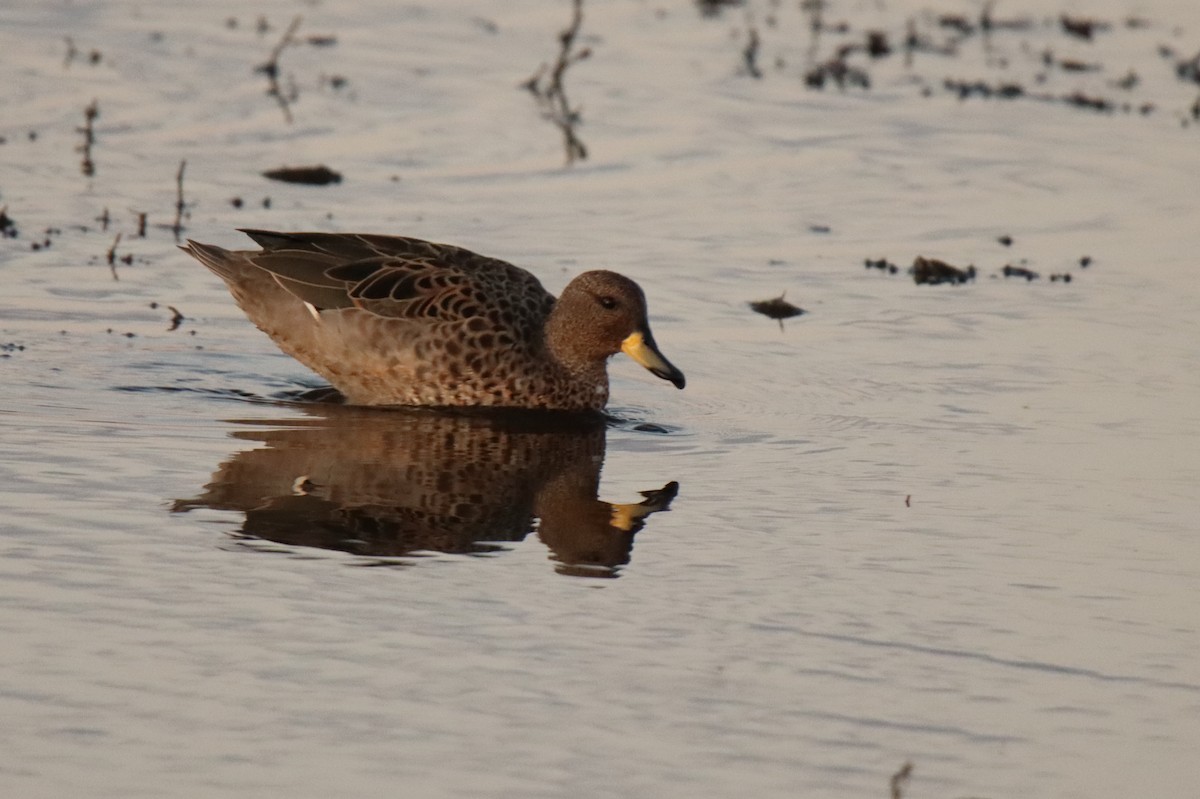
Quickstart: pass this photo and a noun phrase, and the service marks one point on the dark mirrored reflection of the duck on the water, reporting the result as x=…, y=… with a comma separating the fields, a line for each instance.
x=388, y=484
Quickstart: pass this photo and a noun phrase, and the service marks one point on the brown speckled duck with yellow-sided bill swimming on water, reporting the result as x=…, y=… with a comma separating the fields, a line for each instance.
x=392, y=321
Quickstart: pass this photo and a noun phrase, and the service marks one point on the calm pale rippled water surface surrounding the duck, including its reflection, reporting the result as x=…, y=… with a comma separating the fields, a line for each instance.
x=953, y=526
